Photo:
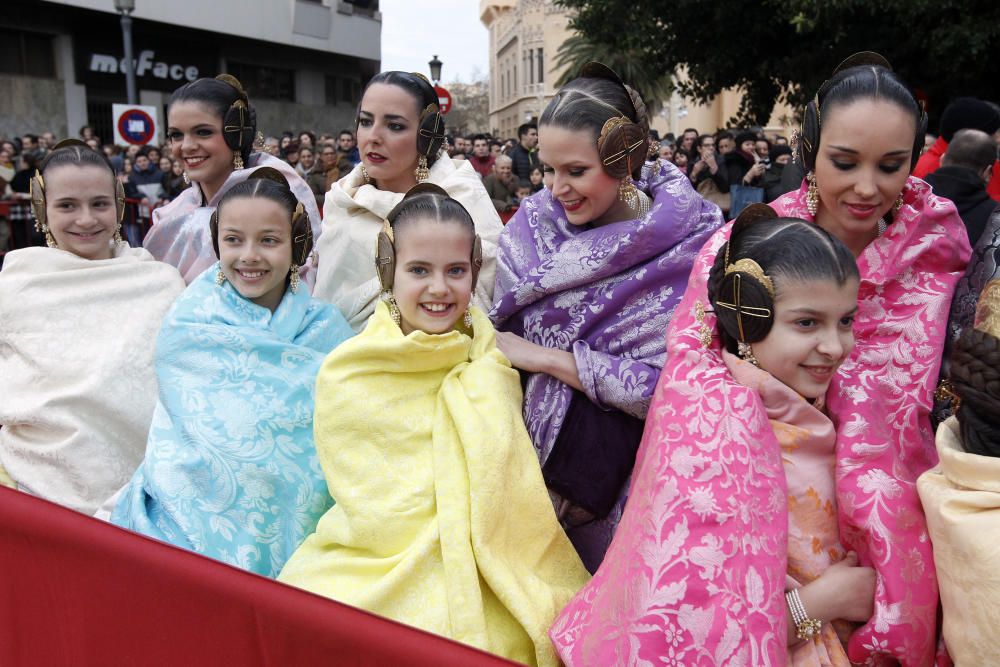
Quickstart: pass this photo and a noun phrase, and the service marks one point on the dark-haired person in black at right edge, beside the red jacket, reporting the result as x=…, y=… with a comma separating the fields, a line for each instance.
x=963, y=176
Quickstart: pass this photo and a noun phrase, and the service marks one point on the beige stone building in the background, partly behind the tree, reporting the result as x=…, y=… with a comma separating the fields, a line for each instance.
x=525, y=36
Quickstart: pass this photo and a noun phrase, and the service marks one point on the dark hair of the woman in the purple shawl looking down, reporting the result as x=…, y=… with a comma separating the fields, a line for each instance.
x=588, y=102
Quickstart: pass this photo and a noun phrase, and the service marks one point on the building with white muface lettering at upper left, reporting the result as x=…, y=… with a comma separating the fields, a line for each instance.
x=302, y=62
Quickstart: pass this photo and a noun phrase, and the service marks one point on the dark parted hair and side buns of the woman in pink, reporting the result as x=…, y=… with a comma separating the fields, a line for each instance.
x=864, y=76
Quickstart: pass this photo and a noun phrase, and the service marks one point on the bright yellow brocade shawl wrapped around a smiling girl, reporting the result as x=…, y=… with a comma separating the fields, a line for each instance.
x=442, y=520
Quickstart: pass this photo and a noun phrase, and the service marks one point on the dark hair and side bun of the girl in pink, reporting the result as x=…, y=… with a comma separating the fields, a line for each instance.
x=787, y=250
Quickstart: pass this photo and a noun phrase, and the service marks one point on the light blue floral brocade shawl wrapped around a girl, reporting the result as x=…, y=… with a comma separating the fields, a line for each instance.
x=230, y=469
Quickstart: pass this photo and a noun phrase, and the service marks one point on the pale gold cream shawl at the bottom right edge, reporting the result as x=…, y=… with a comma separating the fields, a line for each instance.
x=961, y=499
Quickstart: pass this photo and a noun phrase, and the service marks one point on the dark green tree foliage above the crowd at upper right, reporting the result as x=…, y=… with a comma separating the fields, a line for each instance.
x=782, y=50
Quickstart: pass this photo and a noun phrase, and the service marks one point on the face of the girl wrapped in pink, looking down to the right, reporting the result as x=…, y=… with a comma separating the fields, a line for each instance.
x=812, y=333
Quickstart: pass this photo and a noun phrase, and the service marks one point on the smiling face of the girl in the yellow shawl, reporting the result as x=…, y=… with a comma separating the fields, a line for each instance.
x=433, y=279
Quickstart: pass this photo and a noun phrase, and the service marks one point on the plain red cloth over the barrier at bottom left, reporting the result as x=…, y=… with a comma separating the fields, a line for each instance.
x=78, y=591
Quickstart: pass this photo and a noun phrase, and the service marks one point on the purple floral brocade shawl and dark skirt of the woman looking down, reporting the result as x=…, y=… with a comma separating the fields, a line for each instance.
x=606, y=294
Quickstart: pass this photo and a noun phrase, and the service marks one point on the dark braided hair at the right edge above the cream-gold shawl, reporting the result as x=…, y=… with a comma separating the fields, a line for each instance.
x=975, y=376
